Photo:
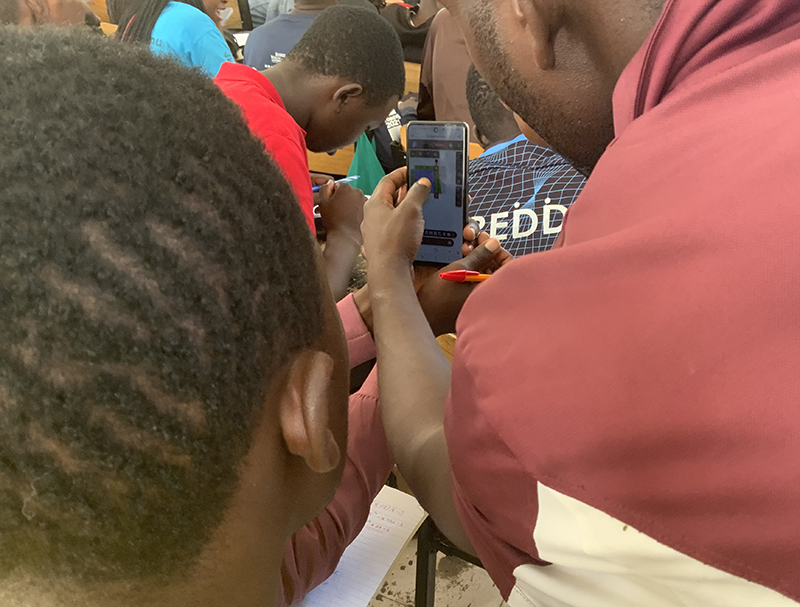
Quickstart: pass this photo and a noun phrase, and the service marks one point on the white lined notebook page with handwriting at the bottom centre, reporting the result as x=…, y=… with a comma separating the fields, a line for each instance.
x=393, y=519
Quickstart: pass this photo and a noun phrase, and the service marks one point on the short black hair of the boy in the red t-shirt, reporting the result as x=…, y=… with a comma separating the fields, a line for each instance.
x=357, y=44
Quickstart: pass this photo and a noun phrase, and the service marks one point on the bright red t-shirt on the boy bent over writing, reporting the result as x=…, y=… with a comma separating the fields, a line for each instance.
x=268, y=119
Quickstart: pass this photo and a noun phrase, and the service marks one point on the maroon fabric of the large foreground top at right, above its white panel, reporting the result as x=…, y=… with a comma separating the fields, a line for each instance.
x=648, y=368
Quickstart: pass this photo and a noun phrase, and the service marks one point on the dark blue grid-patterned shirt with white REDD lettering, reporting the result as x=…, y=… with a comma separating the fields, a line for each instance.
x=520, y=192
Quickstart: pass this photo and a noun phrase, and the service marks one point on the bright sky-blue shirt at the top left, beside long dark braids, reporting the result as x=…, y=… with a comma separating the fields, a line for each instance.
x=190, y=36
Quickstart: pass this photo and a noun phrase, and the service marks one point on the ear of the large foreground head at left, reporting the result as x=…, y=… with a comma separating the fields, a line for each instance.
x=304, y=414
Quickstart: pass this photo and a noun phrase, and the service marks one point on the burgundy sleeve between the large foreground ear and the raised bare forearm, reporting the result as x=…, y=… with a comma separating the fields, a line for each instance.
x=311, y=554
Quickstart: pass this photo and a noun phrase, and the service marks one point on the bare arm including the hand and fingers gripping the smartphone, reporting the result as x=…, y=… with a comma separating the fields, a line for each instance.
x=414, y=373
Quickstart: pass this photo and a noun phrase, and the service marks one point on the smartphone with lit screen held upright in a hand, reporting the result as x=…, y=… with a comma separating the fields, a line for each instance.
x=439, y=151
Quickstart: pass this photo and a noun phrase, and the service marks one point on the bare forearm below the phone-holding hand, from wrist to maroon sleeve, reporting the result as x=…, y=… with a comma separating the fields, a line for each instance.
x=414, y=383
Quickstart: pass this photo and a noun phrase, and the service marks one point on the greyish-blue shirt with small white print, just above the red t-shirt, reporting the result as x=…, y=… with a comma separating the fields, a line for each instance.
x=268, y=44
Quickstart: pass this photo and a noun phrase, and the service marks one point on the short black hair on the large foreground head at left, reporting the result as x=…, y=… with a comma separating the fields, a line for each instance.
x=156, y=273
